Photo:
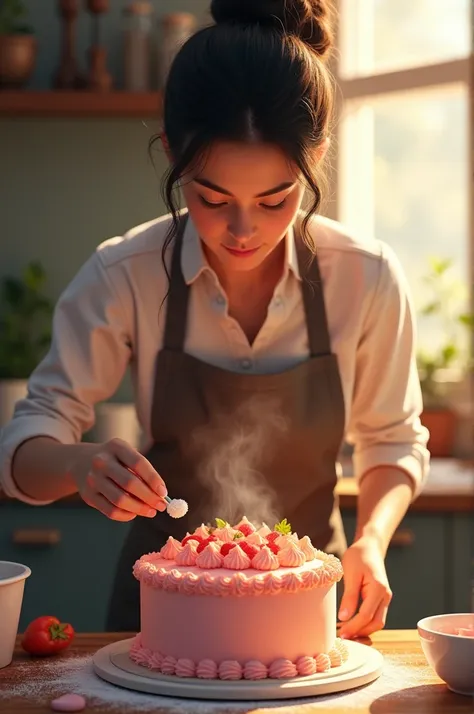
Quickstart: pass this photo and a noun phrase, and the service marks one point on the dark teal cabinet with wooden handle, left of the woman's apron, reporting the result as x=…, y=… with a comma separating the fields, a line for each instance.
x=71, y=578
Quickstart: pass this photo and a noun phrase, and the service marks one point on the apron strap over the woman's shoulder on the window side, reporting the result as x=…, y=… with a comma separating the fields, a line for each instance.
x=313, y=298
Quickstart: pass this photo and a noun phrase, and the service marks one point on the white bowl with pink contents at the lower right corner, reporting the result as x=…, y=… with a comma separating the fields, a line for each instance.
x=450, y=655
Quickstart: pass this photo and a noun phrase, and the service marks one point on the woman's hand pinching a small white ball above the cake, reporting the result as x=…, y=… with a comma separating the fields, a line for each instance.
x=118, y=481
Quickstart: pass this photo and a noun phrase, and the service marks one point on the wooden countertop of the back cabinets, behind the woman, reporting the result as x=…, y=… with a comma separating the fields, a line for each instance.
x=450, y=487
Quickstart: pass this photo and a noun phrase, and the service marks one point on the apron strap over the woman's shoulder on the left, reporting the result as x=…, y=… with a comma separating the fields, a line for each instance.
x=178, y=296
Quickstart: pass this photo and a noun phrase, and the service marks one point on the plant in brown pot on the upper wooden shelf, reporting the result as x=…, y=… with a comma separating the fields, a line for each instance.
x=18, y=46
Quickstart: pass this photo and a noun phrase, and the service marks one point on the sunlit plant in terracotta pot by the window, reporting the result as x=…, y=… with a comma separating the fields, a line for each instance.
x=450, y=361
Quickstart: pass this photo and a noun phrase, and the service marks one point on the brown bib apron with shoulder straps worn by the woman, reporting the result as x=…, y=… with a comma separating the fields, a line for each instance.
x=199, y=410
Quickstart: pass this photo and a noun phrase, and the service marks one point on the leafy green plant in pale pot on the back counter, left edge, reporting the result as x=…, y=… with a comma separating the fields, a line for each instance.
x=25, y=334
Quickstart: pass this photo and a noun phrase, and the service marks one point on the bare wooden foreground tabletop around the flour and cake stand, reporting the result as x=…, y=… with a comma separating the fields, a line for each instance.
x=428, y=696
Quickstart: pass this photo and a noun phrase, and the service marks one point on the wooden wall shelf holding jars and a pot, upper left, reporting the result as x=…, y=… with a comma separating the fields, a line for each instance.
x=80, y=104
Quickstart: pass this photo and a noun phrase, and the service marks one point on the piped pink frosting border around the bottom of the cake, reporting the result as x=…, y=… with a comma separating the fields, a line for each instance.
x=232, y=670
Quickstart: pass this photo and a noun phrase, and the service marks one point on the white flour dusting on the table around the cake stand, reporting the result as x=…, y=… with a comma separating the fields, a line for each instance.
x=76, y=675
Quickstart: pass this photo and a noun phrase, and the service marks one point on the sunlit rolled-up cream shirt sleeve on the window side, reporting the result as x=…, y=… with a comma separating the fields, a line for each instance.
x=385, y=427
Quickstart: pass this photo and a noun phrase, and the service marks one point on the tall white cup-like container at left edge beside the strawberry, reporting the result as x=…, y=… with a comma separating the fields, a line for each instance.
x=12, y=586
